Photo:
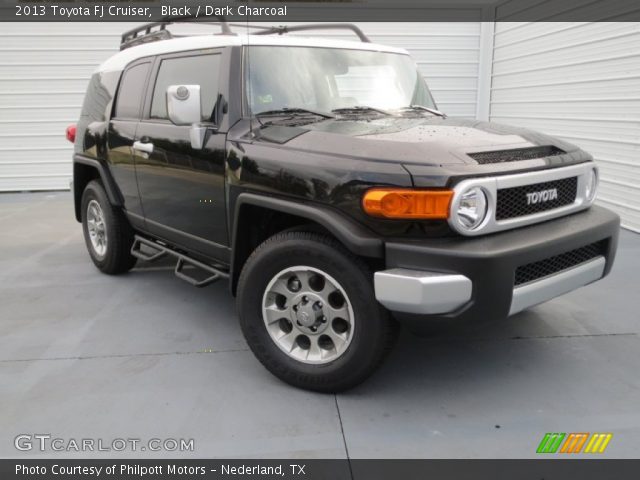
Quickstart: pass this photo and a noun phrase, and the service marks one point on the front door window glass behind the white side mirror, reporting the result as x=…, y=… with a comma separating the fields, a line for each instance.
x=196, y=70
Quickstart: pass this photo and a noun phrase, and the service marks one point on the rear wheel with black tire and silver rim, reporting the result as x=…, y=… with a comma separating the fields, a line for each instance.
x=113, y=255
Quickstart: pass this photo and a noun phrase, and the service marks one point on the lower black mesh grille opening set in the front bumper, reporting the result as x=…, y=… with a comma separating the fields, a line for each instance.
x=537, y=270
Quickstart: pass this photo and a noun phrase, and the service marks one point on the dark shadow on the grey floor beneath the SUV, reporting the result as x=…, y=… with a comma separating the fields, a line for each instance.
x=476, y=349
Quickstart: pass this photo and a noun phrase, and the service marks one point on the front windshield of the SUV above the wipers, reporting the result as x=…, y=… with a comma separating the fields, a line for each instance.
x=327, y=79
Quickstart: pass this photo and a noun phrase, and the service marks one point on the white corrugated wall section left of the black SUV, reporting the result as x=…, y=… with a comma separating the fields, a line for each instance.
x=44, y=70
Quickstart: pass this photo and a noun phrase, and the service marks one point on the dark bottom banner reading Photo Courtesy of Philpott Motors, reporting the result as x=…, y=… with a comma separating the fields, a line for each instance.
x=300, y=469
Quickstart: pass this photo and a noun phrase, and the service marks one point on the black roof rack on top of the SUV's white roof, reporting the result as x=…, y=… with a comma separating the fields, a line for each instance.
x=156, y=31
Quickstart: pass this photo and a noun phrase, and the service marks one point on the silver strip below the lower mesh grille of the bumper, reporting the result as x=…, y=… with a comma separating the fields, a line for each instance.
x=557, y=284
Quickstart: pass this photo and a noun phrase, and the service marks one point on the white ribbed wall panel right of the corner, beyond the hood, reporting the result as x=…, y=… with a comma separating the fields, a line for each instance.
x=580, y=81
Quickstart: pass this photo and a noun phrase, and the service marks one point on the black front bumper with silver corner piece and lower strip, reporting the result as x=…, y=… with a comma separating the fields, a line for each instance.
x=463, y=278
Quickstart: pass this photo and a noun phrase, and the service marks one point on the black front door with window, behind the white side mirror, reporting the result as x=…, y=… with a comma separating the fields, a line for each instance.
x=181, y=188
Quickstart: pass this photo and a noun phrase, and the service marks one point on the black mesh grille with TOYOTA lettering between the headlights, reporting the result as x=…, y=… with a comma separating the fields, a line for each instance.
x=528, y=199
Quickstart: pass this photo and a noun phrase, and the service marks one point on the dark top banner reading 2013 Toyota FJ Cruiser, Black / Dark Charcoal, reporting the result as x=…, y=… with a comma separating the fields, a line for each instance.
x=322, y=11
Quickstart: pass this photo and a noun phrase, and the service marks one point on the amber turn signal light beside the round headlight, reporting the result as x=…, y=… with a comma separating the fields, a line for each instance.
x=404, y=203
